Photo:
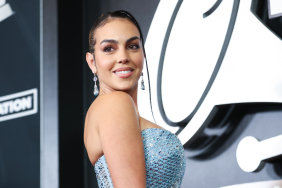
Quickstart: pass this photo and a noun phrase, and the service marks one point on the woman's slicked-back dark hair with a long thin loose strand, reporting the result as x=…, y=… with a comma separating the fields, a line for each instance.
x=109, y=16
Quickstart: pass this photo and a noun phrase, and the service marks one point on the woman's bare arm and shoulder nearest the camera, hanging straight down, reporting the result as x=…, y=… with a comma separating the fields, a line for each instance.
x=121, y=139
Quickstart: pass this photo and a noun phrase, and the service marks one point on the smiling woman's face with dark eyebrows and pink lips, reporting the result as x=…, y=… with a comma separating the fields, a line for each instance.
x=118, y=55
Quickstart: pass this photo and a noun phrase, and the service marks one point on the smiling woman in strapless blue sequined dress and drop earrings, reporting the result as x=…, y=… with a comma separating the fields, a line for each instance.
x=126, y=149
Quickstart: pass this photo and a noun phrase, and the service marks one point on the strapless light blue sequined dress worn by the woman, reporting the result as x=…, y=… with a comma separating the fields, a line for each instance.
x=164, y=157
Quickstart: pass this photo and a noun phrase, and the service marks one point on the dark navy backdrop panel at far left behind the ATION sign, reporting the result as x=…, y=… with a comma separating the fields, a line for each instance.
x=20, y=71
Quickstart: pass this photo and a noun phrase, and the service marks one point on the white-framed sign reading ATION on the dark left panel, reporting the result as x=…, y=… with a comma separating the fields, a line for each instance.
x=18, y=105
